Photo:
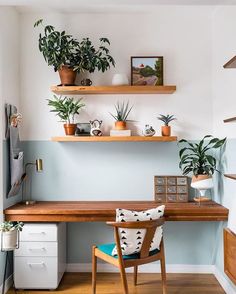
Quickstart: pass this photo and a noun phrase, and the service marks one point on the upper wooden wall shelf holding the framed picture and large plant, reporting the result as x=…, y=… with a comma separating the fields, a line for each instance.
x=77, y=90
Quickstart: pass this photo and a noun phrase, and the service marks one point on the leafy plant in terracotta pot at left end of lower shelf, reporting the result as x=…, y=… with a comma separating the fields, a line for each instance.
x=66, y=108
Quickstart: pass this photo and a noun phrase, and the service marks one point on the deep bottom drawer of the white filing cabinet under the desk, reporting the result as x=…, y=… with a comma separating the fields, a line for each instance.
x=36, y=272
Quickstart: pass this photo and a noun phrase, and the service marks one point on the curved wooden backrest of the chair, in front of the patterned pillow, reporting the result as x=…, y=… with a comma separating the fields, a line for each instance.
x=150, y=226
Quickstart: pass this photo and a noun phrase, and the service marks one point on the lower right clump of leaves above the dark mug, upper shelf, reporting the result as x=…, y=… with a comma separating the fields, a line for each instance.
x=91, y=58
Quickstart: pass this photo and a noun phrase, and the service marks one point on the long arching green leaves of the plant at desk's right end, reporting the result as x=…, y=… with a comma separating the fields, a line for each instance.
x=195, y=157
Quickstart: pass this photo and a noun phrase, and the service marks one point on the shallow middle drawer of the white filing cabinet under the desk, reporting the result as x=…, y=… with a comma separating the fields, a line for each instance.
x=37, y=249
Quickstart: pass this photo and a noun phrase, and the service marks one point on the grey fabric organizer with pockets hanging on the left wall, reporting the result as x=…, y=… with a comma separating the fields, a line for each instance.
x=16, y=156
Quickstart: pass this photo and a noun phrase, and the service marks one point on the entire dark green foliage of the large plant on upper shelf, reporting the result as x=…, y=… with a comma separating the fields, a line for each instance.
x=59, y=49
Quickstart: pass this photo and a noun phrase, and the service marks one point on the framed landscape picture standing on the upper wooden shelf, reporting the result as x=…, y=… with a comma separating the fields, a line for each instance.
x=146, y=71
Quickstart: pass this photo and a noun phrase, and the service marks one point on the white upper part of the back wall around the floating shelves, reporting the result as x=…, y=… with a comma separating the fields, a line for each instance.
x=181, y=34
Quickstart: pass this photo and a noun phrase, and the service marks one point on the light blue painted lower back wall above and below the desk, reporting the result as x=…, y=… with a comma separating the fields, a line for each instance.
x=115, y=171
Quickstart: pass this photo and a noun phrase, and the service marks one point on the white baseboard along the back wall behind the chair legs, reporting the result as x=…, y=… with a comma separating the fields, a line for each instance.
x=147, y=268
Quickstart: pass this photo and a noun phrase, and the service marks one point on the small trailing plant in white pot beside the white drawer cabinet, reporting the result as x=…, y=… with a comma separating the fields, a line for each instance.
x=9, y=231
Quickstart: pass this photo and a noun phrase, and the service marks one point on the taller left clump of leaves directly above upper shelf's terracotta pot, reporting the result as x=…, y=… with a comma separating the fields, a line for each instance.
x=58, y=48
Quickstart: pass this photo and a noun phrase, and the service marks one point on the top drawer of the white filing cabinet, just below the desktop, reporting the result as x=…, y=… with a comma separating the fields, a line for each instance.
x=39, y=232
